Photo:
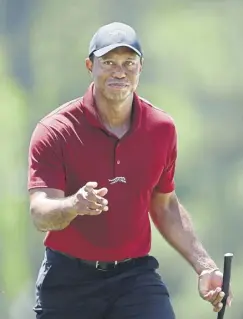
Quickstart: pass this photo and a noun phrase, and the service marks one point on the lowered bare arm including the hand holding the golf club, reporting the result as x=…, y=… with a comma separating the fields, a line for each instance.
x=175, y=225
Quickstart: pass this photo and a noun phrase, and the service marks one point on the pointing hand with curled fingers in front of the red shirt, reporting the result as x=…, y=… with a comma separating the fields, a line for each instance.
x=89, y=200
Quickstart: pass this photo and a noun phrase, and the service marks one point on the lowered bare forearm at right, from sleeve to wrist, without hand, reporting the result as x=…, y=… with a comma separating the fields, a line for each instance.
x=176, y=227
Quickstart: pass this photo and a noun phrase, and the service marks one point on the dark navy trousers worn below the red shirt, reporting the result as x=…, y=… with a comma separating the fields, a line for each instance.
x=68, y=289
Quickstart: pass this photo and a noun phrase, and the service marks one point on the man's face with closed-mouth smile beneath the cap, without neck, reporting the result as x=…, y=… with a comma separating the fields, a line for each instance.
x=116, y=74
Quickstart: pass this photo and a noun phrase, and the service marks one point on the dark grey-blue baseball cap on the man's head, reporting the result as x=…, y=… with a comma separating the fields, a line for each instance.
x=112, y=36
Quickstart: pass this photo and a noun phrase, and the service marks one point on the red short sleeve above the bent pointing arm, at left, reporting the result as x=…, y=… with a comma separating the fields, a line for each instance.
x=45, y=160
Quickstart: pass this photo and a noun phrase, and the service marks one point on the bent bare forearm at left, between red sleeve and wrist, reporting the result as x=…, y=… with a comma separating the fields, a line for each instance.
x=52, y=214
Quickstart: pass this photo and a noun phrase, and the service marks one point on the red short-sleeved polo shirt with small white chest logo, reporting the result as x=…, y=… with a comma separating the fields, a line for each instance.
x=70, y=147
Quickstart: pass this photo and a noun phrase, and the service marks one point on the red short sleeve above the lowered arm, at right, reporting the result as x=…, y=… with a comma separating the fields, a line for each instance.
x=166, y=182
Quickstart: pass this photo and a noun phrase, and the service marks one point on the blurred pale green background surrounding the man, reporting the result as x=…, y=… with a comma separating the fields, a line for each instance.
x=193, y=70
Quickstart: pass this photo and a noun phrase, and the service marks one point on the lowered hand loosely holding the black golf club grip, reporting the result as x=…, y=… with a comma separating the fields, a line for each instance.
x=209, y=286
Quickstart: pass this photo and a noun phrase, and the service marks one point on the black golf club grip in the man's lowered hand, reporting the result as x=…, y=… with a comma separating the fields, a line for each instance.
x=226, y=282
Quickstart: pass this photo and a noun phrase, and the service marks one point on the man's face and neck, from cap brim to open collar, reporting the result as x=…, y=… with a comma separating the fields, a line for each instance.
x=116, y=77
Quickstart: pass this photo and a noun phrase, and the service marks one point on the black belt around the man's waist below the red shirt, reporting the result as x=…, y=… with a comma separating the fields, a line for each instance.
x=99, y=265
